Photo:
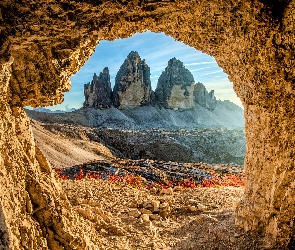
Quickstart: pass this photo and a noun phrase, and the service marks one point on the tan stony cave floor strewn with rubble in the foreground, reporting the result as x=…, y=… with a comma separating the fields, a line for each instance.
x=126, y=217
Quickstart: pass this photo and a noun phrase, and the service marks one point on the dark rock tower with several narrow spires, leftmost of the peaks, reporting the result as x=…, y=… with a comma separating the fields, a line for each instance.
x=98, y=92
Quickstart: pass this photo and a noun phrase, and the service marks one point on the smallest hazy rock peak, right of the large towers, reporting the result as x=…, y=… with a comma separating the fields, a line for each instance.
x=202, y=97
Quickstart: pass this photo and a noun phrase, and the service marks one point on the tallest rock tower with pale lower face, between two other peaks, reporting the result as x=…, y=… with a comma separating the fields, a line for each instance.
x=133, y=85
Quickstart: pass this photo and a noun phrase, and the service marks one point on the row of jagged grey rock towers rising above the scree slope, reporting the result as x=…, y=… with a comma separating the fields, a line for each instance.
x=176, y=88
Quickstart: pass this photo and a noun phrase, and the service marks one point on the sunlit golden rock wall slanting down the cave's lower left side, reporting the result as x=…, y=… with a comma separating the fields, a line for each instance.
x=35, y=213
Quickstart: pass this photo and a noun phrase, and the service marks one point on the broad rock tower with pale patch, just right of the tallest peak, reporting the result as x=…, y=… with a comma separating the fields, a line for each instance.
x=175, y=86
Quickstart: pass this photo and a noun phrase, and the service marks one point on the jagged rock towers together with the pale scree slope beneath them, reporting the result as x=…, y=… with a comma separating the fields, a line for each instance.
x=178, y=102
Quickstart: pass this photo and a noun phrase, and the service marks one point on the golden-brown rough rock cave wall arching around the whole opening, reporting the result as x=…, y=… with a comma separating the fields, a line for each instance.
x=44, y=42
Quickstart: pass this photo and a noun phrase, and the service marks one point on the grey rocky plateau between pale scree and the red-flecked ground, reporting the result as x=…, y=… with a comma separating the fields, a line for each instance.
x=212, y=145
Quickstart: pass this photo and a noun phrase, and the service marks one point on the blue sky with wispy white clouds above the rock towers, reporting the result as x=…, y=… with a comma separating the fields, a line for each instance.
x=156, y=49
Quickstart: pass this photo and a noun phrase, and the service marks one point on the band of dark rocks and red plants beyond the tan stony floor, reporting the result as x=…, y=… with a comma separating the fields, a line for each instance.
x=151, y=173
